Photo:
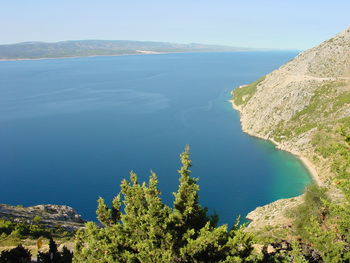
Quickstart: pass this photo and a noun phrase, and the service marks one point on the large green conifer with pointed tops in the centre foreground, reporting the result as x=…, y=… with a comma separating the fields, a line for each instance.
x=141, y=228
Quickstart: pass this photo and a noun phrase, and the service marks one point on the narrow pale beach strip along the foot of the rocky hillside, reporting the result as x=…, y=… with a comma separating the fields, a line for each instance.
x=305, y=161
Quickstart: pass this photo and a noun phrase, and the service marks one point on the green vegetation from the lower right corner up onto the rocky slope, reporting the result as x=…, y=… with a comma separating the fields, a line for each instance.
x=321, y=221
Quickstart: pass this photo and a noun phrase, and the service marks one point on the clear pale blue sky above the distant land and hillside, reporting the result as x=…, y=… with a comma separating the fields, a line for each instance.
x=286, y=24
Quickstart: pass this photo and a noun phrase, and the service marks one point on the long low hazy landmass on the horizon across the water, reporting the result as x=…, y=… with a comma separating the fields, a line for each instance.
x=81, y=48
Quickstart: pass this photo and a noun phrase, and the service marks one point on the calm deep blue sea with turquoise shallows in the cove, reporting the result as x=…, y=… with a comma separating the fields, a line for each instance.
x=71, y=129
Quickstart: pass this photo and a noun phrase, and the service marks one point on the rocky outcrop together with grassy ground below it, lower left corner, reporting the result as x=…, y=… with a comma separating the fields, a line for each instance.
x=26, y=225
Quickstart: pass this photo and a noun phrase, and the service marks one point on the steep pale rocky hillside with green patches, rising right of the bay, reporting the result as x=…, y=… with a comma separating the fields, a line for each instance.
x=304, y=107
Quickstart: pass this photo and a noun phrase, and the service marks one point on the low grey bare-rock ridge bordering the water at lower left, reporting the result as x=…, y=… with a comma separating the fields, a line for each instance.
x=50, y=215
